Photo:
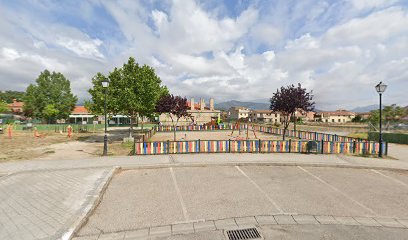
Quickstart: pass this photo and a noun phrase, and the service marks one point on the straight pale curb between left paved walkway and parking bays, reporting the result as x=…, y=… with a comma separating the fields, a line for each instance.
x=91, y=204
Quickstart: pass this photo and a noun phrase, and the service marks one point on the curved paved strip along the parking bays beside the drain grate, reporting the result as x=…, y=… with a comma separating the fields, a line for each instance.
x=259, y=221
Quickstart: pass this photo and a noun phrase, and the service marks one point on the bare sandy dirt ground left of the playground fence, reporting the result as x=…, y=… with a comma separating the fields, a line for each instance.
x=23, y=145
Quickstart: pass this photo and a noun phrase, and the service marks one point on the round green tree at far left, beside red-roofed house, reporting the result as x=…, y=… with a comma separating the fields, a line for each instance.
x=50, y=89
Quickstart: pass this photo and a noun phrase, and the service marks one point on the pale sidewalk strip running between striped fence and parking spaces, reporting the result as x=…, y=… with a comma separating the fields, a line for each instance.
x=206, y=159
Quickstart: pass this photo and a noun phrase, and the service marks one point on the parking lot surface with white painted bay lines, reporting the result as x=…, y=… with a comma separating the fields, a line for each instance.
x=150, y=198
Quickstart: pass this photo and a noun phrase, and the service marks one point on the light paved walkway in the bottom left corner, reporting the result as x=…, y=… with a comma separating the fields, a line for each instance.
x=47, y=204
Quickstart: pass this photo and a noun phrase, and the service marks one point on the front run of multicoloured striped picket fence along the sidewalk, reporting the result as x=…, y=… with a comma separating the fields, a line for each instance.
x=255, y=146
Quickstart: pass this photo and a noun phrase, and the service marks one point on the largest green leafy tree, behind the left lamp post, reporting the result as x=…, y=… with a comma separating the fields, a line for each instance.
x=133, y=91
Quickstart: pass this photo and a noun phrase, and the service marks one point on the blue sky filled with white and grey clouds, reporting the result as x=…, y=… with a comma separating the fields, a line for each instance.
x=242, y=50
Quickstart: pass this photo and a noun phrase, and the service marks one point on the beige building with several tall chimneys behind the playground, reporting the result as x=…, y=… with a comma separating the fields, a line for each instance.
x=199, y=113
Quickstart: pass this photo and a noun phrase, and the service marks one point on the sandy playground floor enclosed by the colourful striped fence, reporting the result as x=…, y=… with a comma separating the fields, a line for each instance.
x=213, y=135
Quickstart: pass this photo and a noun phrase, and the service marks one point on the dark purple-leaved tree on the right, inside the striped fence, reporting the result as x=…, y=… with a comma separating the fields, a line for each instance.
x=289, y=99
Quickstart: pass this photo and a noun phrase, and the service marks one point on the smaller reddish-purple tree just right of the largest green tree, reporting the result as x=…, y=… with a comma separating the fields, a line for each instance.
x=175, y=106
